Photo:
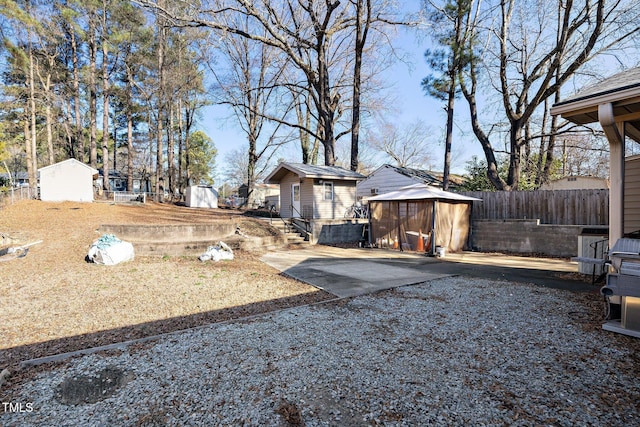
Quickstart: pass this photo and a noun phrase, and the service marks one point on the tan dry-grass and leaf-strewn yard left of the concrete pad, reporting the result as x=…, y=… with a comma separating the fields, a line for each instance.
x=52, y=301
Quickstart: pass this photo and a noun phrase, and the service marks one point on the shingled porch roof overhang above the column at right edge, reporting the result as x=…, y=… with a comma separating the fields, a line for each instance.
x=622, y=90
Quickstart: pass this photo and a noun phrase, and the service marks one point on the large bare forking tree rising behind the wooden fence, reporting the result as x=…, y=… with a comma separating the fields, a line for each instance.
x=527, y=57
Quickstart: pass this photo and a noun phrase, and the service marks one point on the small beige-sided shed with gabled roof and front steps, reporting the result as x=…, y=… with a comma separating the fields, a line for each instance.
x=314, y=192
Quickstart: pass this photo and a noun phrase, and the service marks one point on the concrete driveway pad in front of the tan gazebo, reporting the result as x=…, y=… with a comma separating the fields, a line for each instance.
x=351, y=272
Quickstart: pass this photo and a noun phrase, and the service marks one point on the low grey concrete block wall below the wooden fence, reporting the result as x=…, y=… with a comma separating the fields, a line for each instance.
x=525, y=236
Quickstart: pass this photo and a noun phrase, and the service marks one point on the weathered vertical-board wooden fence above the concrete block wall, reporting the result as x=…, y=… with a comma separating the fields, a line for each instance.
x=561, y=207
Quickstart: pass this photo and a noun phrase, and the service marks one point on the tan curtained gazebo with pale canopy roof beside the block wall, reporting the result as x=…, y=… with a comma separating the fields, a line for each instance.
x=420, y=217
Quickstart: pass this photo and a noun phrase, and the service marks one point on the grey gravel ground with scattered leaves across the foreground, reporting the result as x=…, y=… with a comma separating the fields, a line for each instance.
x=449, y=352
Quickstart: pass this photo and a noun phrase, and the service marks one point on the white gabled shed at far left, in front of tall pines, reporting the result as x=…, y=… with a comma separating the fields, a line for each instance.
x=69, y=180
